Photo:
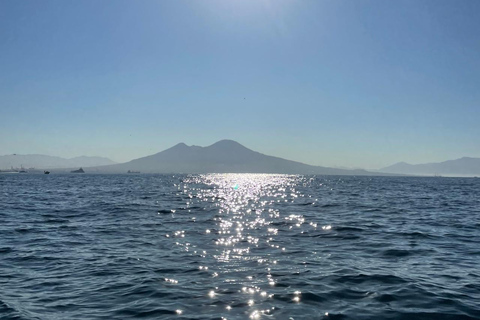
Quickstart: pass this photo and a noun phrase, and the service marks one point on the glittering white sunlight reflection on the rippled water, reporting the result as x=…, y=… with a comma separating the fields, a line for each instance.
x=245, y=232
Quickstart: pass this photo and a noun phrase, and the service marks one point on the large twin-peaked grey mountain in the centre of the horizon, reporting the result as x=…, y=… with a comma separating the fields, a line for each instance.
x=225, y=156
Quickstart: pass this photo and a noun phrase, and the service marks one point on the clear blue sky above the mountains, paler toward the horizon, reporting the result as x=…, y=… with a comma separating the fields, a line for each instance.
x=334, y=83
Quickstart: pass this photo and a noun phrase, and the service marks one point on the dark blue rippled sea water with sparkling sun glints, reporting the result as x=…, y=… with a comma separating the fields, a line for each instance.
x=238, y=247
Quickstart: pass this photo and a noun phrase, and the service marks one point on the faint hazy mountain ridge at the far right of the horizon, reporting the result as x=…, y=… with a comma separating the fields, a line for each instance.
x=460, y=167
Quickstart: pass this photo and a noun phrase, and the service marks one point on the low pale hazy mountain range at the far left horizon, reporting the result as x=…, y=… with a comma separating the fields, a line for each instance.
x=39, y=161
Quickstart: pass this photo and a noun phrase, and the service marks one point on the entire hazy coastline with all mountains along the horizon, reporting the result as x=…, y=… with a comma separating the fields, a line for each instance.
x=225, y=156
